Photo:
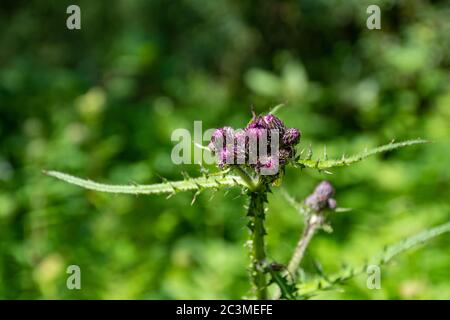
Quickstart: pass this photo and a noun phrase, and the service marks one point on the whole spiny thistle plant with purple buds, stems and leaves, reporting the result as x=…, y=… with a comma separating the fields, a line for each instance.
x=254, y=159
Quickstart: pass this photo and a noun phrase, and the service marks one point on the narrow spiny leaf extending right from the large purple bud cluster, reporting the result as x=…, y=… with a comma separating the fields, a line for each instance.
x=345, y=161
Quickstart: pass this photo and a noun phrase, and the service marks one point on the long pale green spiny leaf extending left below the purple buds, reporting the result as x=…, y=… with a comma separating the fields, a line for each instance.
x=170, y=187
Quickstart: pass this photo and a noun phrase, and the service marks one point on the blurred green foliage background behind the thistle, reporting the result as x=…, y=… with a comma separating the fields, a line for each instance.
x=102, y=102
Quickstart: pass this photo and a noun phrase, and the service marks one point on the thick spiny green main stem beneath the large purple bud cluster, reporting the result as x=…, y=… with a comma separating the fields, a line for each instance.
x=258, y=254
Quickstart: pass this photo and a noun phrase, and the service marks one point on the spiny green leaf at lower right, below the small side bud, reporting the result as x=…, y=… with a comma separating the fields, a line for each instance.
x=388, y=253
